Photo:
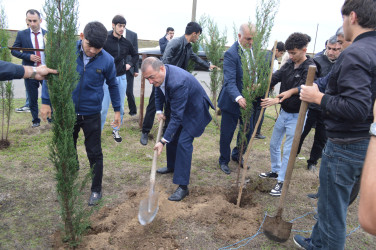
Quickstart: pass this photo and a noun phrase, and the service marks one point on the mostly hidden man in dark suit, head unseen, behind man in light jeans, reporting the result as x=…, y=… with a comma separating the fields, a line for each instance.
x=132, y=72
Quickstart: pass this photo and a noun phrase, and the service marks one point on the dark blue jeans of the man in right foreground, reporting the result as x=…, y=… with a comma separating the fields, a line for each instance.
x=340, y=169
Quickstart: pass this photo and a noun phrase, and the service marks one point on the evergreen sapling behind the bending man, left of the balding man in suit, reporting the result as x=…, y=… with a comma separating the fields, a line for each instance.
x=215, y=46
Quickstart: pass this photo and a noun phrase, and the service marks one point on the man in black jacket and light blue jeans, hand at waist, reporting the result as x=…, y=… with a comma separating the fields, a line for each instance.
x=119, y=48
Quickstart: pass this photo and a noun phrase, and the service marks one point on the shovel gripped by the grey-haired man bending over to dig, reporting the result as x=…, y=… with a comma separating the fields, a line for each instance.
x=149, y=206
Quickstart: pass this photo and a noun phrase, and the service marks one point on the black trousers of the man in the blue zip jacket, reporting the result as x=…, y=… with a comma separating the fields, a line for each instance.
x=91, y=125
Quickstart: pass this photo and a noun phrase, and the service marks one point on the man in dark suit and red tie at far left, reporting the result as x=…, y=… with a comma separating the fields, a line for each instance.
x=31, y=38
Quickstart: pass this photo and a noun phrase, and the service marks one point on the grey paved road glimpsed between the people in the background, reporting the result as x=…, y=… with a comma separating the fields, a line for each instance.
x=19, y=86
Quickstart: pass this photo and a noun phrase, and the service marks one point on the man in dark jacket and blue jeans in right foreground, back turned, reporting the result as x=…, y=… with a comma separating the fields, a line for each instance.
x=347, y=108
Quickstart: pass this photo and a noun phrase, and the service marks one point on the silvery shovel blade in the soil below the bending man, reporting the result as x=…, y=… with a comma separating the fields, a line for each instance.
x=148, y=209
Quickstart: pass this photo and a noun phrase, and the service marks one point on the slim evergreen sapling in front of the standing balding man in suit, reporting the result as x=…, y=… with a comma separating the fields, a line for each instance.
x=256, y=66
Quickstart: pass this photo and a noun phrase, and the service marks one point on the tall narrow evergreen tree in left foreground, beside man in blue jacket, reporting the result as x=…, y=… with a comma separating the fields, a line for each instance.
x=61, y=19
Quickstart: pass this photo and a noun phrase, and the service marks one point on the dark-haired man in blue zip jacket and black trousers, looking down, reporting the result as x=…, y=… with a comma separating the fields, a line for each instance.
x=96, y=67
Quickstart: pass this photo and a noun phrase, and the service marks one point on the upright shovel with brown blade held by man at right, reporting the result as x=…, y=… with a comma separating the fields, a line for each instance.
x=274, y=227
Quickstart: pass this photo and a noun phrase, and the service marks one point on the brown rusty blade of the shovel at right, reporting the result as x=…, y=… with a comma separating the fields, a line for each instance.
x=277, y=229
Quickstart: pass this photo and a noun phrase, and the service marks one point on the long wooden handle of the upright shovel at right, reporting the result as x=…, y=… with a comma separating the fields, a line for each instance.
x=295, y=143
